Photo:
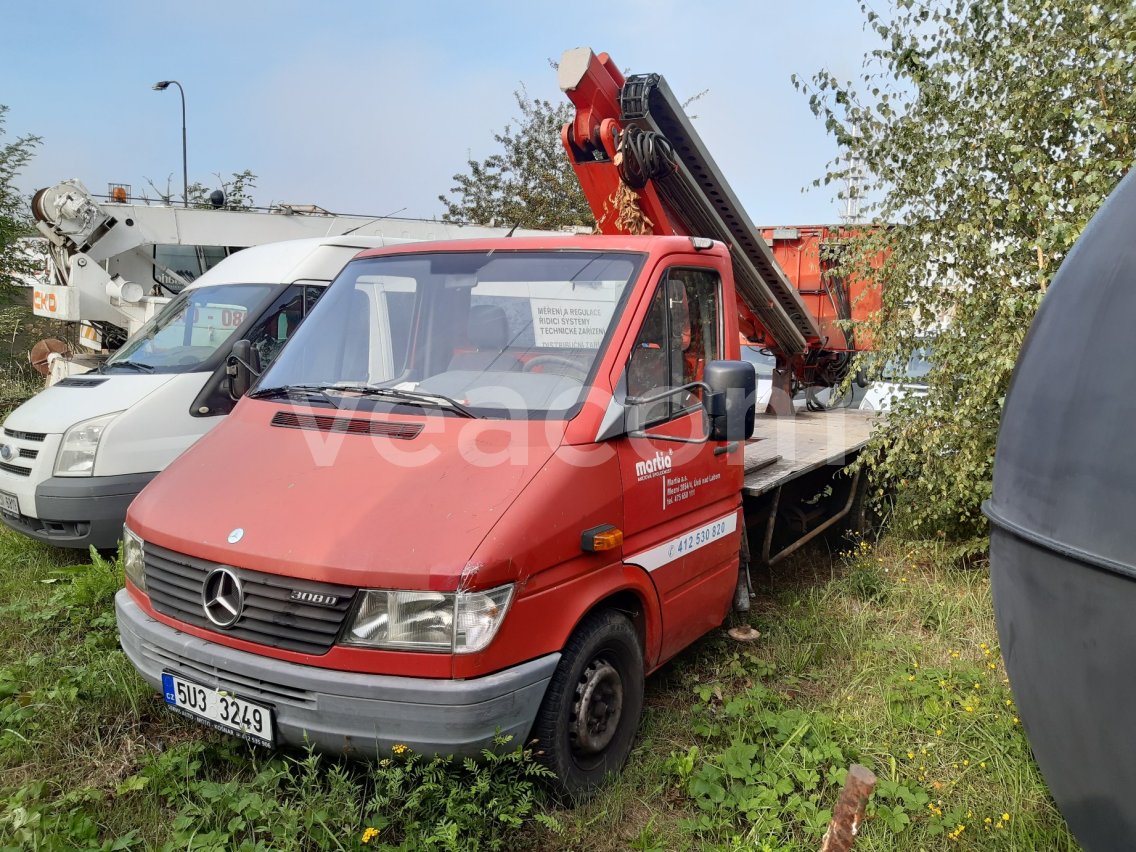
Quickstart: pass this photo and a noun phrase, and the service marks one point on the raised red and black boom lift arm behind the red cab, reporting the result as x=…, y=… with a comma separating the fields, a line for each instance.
x=632, y=136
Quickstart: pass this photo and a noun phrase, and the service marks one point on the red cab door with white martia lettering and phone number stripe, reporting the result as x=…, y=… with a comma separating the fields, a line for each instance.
x=681, y=499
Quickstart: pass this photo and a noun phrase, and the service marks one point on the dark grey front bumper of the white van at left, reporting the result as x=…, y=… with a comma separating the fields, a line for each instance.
x=80, y=512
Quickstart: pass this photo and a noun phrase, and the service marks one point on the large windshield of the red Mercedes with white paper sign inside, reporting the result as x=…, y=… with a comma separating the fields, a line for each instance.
x=489, y=335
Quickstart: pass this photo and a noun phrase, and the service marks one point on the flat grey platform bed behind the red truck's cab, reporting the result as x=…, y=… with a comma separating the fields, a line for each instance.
x=783, y=448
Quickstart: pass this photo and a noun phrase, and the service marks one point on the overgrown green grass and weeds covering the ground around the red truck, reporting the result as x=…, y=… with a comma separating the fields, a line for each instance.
x=886, y=656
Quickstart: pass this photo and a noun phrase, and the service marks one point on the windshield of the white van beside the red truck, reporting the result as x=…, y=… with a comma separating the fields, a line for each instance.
x=189, y=331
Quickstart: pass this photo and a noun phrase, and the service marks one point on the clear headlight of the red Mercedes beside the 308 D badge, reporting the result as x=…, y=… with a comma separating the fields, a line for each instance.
x=461, y=623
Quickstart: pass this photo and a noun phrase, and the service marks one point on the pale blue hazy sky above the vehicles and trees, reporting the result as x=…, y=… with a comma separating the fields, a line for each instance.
x=372, y=107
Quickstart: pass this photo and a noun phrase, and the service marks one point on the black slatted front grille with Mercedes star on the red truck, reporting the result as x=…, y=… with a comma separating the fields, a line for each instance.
x=174, y=583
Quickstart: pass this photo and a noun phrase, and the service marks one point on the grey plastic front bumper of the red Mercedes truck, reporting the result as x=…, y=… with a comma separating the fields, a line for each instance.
x=343, y=713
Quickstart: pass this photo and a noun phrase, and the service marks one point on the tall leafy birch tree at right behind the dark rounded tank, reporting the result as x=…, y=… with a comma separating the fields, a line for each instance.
x=988, y=133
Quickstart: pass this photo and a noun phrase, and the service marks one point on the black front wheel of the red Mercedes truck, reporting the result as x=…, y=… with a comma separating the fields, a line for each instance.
x=591, y=712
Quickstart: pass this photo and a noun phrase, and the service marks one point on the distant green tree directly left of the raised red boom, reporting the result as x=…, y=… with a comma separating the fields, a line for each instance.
x=530, y=182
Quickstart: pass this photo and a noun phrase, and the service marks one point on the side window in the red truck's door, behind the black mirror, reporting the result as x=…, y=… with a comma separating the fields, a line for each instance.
x=681, y=335
